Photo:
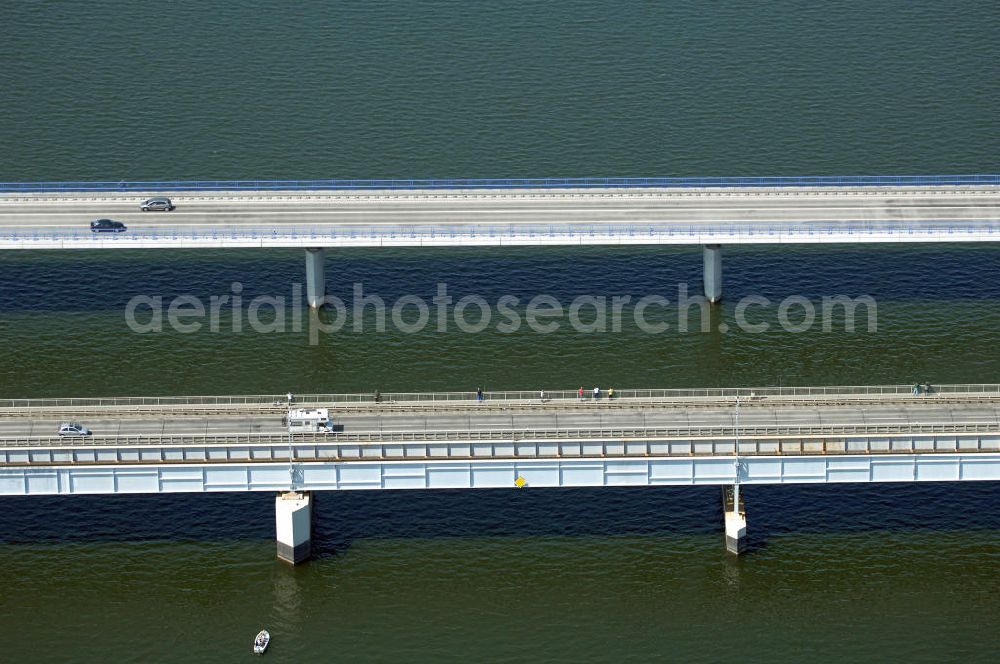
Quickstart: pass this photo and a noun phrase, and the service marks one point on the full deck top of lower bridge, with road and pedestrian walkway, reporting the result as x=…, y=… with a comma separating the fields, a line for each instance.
x=242, y=420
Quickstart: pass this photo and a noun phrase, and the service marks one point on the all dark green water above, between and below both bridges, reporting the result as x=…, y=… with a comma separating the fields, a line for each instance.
x=116, y=90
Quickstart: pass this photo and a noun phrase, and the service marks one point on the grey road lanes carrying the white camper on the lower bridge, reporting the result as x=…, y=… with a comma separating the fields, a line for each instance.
x=763, y=419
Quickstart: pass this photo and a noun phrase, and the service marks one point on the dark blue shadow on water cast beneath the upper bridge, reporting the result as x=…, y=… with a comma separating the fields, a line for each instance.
x=57, y=282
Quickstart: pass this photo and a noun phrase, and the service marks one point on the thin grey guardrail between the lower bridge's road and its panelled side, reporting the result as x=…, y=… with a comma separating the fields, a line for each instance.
x=514, y=435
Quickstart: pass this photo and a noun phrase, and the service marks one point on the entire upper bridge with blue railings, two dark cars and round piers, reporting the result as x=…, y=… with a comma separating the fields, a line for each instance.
x=577, y=211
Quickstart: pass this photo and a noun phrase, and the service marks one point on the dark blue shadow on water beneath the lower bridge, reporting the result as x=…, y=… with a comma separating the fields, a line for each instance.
x=341, y=518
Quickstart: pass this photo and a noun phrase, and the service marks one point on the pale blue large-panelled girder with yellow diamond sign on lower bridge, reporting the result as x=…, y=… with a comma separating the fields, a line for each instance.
x=494, y=473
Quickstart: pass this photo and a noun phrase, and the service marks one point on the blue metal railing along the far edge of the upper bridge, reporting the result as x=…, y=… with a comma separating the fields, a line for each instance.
x=503, y=183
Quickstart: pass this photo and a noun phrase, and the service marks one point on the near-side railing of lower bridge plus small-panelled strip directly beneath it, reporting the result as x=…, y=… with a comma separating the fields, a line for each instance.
x=840, y=439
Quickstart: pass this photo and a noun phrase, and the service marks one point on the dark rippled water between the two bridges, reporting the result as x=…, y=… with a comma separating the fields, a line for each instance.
x=936, y=317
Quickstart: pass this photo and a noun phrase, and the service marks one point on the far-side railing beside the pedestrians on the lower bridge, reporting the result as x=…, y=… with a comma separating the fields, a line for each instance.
x=512, y=396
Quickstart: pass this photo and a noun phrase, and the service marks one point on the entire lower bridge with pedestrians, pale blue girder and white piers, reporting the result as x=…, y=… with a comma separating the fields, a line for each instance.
x=519, y=439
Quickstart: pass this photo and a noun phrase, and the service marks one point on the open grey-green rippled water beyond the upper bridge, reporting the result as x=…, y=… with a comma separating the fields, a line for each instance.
x=255, y=90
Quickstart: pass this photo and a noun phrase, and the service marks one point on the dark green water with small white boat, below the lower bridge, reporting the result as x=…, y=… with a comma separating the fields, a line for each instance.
x=838, y=573
